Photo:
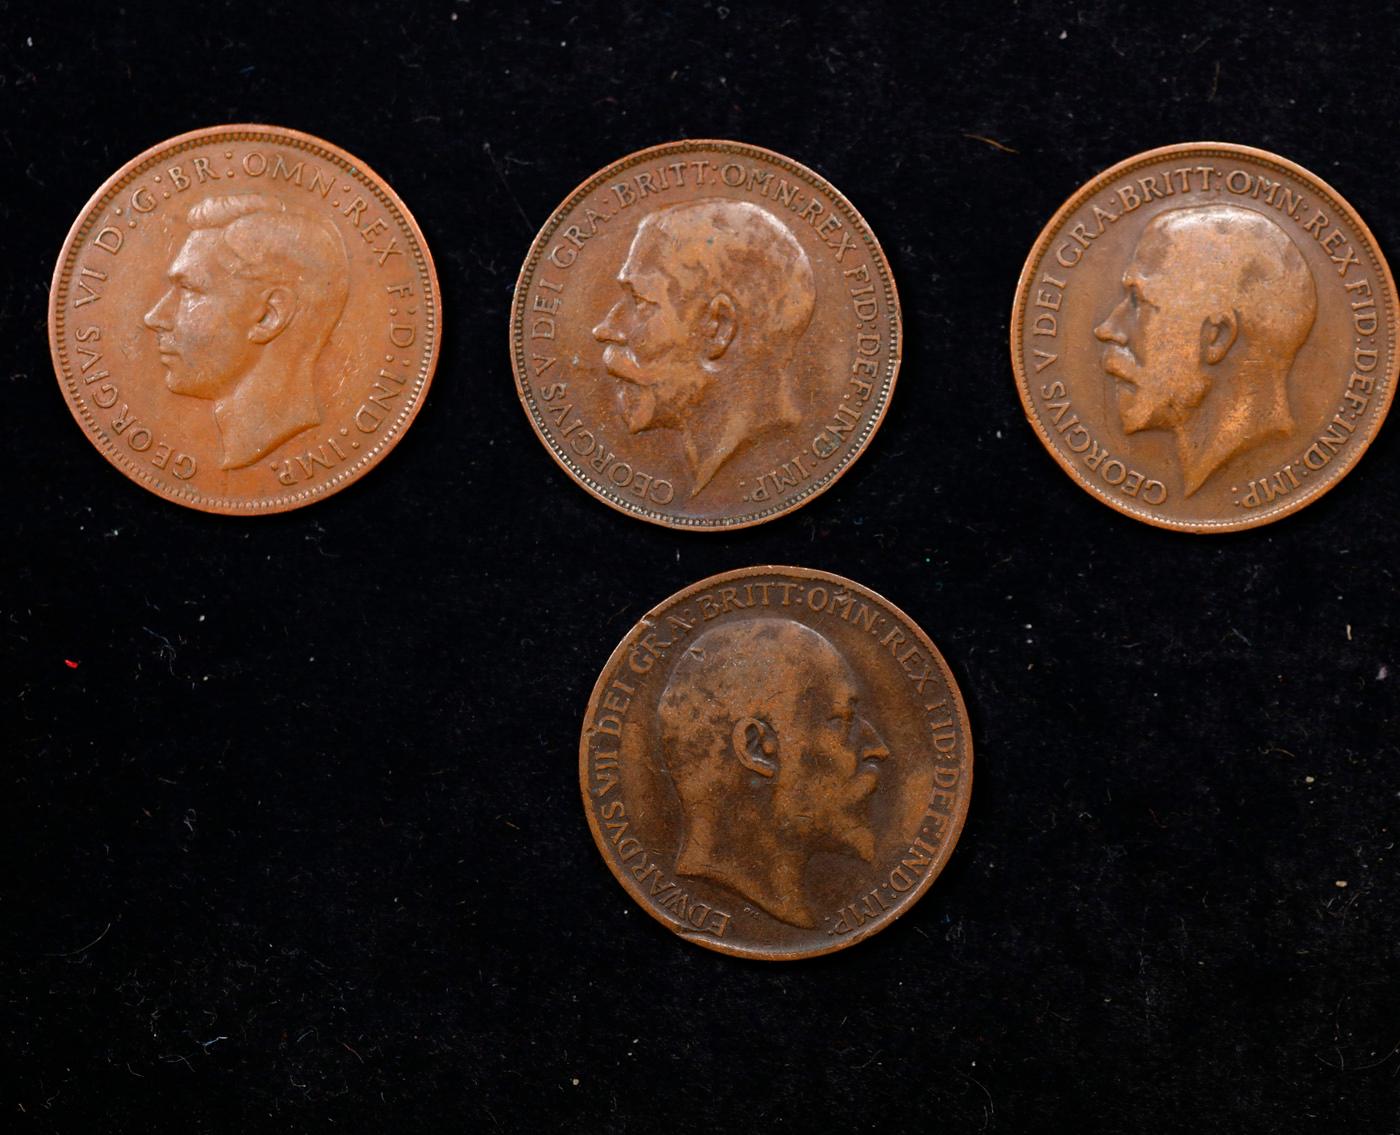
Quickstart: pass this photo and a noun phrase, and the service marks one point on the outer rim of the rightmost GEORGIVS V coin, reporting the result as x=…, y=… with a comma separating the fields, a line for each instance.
x=1100, y=183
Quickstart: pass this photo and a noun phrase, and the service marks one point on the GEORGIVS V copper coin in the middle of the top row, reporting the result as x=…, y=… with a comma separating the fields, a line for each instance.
x=706, y=335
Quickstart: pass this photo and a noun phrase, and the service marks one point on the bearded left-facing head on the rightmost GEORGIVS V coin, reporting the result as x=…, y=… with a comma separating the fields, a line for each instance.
x=1217, y=303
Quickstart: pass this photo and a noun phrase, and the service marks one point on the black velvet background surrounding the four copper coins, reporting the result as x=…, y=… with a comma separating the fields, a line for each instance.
x=297, y=845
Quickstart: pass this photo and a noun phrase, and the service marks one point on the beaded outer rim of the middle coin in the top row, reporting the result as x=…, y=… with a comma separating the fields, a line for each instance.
x=517, y=338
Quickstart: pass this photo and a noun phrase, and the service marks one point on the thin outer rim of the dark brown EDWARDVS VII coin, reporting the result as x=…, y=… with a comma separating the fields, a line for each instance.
x=953, y=832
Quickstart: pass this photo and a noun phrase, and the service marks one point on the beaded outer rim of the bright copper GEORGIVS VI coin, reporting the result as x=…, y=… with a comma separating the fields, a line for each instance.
x=90, y=215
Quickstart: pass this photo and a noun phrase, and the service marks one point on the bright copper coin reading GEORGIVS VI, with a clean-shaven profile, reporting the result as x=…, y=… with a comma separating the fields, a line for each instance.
x=244, y=320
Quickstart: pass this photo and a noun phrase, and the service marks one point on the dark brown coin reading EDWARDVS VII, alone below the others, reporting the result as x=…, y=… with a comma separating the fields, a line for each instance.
x=776, y=763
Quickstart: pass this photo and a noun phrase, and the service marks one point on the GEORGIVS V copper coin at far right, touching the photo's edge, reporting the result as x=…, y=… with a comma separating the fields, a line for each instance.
x=1205, y=337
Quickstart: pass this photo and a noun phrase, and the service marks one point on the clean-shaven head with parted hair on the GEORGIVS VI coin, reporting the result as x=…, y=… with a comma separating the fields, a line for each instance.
x=254, y=295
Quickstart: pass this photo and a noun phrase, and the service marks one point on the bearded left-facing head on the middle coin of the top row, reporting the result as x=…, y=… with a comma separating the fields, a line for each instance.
x=716, y=299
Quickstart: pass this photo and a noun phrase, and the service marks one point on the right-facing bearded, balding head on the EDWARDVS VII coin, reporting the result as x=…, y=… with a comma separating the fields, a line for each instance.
x=773, y=761
